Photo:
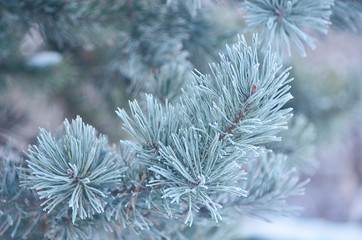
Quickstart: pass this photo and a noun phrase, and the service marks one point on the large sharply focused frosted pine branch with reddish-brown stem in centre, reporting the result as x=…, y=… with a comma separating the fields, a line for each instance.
x=193, y=158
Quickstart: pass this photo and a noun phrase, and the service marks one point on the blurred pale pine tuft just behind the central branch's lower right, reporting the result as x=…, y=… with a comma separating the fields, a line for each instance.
x=270, y=182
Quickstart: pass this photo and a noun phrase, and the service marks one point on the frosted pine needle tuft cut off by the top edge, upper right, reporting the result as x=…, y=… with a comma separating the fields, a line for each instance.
x=283, y=21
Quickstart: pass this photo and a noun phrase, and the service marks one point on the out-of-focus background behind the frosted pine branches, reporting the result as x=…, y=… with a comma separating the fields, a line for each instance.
x=59, y=59
